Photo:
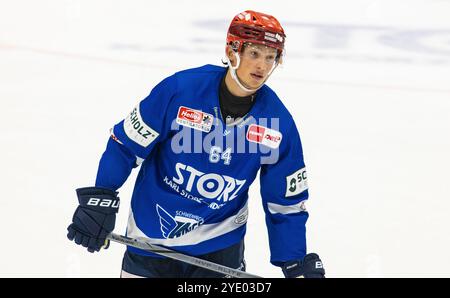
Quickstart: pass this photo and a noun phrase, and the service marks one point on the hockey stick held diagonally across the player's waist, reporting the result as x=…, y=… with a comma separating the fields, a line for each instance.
x=144, y=244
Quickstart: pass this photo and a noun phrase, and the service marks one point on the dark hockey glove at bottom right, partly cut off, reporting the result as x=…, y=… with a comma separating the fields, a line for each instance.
x=310, y=267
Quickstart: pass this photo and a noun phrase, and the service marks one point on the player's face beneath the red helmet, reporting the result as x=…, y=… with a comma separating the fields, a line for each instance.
x=256, y=63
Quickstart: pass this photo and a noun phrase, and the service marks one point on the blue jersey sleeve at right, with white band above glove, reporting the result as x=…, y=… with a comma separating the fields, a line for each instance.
x=284, y=191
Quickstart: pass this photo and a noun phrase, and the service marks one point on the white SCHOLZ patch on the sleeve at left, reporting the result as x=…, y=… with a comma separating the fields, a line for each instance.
x=137, y=130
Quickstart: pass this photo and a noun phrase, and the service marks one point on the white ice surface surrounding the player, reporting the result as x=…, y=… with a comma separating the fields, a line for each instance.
x=368, y=83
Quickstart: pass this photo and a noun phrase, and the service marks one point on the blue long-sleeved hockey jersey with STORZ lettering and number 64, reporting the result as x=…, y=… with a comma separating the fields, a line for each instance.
x=191, y=192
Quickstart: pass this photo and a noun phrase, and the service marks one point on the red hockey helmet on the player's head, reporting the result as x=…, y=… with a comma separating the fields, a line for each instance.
x=255, y=27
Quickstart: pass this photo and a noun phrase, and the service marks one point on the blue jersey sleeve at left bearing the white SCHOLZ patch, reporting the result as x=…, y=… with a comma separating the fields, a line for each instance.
x=133, y=139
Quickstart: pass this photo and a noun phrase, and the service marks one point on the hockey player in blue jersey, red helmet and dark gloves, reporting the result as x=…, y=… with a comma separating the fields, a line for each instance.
x=200, y=138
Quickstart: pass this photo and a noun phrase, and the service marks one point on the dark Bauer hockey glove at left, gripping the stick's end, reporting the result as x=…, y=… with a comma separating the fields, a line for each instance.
x=94, y=218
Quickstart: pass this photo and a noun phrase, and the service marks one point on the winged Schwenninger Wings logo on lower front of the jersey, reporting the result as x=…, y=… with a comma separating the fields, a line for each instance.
x=178, y=225
